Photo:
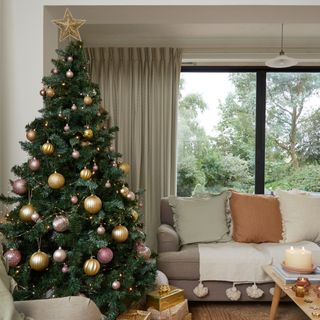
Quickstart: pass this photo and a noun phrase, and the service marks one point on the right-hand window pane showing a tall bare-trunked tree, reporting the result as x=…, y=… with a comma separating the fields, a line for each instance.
x=292, y=131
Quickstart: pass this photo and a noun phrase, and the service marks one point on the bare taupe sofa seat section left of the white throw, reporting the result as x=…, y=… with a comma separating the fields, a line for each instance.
x=182, y=264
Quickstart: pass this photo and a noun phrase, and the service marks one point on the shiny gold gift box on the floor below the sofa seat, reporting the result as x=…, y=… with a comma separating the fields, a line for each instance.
x=163, y=301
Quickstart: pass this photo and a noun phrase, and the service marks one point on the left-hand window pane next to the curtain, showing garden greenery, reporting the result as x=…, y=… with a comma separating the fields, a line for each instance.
x=216, y=132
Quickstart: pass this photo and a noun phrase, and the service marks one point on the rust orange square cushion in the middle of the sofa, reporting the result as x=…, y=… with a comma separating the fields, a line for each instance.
x=255, y=218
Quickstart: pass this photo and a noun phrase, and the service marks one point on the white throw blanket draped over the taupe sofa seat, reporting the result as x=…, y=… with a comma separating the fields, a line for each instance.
x=242, y=262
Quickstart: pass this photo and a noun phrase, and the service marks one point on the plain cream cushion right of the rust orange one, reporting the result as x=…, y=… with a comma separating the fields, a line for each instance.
x=300, y=216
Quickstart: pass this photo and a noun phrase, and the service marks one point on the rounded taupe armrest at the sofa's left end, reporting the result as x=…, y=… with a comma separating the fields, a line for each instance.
x=168, y=239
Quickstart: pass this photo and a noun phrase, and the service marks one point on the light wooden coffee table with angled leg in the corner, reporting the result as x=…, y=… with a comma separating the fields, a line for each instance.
x=311, y=309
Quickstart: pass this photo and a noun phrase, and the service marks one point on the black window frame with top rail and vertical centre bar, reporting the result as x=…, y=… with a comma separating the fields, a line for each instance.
x=261, y=80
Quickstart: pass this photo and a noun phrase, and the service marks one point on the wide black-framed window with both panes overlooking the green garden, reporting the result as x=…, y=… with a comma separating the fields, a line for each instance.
x=250, y=130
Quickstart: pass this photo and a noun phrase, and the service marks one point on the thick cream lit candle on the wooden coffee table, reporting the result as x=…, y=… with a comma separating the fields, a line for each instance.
x=298, y=258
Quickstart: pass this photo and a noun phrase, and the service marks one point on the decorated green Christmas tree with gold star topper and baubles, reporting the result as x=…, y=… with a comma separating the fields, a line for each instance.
x=74, y=228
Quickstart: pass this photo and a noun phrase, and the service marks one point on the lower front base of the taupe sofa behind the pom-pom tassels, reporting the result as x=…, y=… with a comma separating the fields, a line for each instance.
x=217, y=290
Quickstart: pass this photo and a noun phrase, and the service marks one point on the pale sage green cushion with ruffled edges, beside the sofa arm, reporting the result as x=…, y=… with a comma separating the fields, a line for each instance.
x=200, y=219
